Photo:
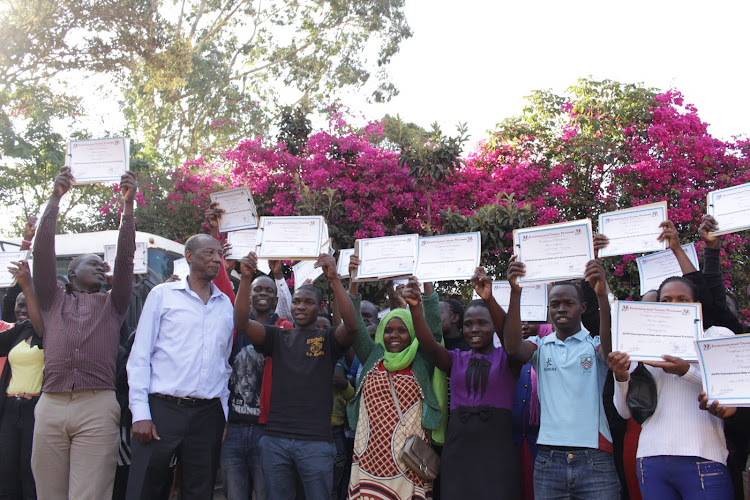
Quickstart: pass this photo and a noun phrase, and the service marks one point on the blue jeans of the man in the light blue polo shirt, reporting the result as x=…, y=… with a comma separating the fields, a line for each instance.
x=581, y=474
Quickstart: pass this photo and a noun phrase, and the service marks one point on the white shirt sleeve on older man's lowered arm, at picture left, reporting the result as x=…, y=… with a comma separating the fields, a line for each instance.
x=139, y=363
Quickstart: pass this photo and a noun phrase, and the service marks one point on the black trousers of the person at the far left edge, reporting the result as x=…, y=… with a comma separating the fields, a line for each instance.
x=16, y=435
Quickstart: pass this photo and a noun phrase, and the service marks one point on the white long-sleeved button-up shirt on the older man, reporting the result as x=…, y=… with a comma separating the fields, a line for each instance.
x=181, y=347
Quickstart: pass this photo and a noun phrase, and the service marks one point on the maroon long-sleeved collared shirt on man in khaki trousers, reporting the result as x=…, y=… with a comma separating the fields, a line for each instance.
x=82, y=329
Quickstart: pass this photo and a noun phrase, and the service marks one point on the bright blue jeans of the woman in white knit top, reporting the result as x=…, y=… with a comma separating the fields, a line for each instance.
x=687, y=478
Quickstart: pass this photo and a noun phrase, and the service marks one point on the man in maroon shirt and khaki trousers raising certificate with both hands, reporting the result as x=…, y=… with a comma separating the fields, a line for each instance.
x=77, y=427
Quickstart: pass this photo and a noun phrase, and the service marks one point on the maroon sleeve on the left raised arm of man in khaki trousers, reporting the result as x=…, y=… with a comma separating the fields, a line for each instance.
x=45, y=265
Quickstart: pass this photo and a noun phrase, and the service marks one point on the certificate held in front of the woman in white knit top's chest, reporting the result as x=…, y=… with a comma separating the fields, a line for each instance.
x=648, y=330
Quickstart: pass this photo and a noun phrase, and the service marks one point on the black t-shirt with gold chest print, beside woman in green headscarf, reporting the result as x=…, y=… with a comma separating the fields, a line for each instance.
x=302, y=390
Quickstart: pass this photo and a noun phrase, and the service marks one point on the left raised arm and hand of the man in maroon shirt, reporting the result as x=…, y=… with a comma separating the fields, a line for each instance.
x=45, y=265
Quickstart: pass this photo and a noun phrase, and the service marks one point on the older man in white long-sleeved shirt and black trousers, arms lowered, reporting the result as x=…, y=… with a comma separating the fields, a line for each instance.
x=178, y=374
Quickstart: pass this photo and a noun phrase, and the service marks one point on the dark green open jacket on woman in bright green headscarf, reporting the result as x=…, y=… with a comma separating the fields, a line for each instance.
x=370, y=354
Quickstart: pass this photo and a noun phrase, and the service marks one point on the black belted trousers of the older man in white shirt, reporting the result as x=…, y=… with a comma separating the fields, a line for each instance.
x=194, y=435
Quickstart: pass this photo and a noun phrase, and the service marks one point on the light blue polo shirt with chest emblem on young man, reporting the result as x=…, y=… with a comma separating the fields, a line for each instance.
x=570, y=379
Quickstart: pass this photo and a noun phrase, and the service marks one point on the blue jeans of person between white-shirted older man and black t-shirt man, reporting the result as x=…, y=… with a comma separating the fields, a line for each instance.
x=241, y=466
